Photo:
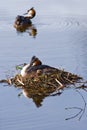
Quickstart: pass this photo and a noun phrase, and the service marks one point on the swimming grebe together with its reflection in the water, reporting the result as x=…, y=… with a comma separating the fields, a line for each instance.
x=23, y=23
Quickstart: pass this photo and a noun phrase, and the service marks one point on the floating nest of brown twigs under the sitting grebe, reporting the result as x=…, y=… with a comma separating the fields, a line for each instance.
x=58, y=79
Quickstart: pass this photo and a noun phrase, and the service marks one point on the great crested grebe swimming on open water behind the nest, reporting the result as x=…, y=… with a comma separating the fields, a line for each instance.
x=24, y=20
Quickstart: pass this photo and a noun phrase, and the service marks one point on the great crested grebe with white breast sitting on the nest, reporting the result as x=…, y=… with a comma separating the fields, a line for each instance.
x=35, y=67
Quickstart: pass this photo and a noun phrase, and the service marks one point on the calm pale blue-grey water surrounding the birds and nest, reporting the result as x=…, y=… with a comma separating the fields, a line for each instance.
x=61, y=42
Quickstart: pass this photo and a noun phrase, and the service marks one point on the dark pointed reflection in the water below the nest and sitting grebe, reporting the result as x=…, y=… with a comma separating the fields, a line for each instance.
x=39, y=94
